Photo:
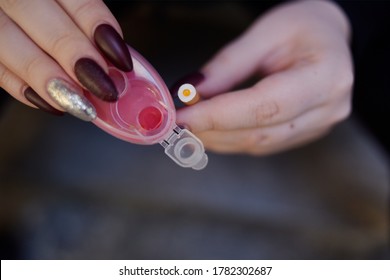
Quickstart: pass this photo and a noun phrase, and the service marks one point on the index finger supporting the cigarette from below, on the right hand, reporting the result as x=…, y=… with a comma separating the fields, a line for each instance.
x=275, y=99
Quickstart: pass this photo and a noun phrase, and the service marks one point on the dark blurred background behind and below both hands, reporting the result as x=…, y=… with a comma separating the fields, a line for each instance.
x=70, y=191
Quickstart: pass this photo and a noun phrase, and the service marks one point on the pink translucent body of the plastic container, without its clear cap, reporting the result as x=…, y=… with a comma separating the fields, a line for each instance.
x=144, y=112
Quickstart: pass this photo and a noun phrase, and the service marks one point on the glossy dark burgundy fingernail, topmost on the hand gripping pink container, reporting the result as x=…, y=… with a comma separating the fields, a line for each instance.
x=111, y=44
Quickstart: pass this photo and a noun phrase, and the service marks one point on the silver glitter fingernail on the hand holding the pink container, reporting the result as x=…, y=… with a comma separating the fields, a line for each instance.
x=69, y=98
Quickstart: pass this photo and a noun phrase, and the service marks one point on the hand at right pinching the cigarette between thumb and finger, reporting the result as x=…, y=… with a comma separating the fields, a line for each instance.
x=301, y=51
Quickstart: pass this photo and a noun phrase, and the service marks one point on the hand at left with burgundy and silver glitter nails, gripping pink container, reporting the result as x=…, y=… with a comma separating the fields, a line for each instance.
x=51, y=49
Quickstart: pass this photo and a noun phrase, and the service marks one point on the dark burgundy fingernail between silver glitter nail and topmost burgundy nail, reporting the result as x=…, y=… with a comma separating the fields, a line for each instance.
x=95, y=80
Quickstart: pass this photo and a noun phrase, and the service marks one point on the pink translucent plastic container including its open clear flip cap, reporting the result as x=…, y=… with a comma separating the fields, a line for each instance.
x=145, y=114
